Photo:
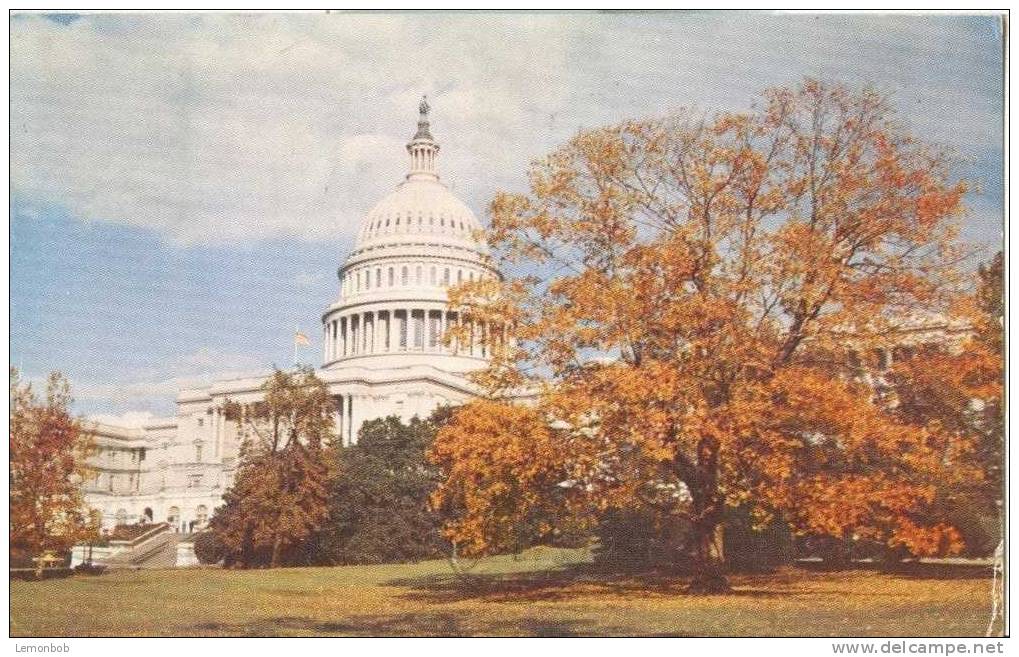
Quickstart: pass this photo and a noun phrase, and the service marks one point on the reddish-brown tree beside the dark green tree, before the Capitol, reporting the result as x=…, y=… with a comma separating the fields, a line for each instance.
x=281, y=491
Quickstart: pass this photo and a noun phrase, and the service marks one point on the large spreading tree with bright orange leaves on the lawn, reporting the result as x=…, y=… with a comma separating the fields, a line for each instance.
x=688, y=297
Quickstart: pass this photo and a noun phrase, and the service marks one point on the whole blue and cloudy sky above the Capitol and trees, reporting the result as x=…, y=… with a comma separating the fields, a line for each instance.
x=185, y=187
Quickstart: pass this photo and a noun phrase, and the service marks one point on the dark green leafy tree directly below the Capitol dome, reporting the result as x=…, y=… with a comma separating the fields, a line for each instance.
x=379, y=508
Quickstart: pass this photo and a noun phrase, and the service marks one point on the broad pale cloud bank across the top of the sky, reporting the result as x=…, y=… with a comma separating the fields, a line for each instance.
x=212, y=128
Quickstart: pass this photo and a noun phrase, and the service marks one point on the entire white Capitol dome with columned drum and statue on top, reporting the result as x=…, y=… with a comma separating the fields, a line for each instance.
x=394, y=307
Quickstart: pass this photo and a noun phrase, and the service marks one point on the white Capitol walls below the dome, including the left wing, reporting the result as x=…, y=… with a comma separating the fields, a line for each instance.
x=184, y=476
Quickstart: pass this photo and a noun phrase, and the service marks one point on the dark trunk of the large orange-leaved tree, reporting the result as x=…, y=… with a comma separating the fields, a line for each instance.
x=710, y=573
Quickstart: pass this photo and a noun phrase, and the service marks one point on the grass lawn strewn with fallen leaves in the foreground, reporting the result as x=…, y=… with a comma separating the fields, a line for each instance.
x=546, y=592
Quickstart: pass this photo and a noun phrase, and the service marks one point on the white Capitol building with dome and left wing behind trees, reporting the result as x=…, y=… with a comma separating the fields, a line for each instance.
x=385, y=355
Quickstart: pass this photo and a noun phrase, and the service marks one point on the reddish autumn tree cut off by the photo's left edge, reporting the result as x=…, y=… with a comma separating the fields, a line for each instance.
x=48, y=453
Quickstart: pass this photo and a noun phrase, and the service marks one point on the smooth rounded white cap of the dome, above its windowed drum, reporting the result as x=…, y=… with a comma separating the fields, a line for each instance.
x=420, y=210
